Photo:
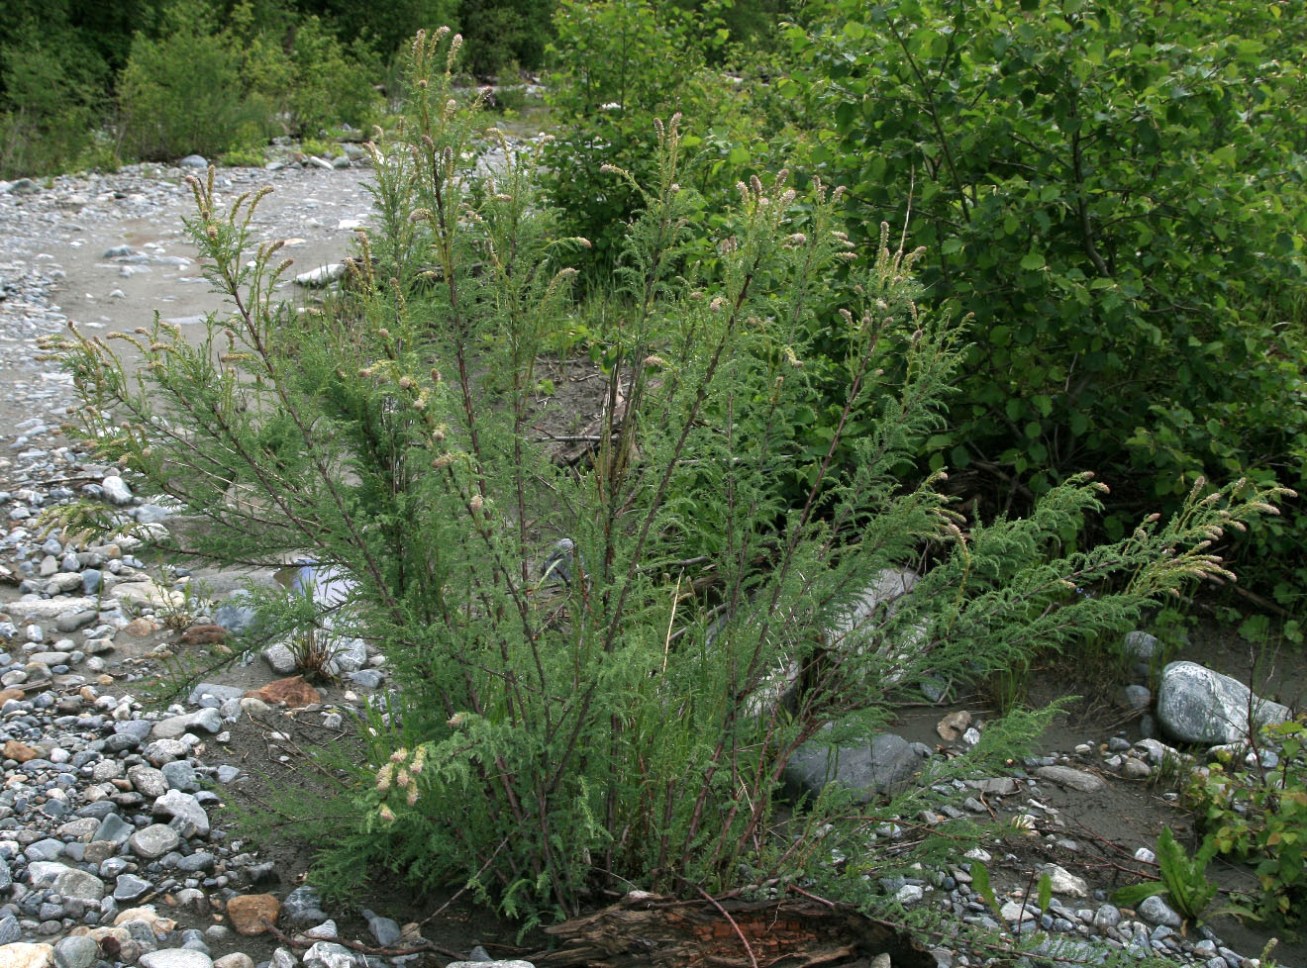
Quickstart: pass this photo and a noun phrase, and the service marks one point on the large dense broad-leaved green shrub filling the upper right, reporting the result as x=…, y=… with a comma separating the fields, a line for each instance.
x=1117, y=193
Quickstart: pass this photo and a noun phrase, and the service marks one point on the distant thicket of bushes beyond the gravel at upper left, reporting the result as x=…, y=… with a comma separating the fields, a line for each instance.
x=93, y=86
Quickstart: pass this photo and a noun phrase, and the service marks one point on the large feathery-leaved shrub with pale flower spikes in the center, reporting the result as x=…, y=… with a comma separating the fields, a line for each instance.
x=621, y=711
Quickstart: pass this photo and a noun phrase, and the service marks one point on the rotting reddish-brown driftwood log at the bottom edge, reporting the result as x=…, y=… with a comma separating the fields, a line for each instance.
x=648, y=931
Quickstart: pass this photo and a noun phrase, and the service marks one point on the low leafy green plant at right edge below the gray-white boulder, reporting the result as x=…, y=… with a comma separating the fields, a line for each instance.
x=1262, y=818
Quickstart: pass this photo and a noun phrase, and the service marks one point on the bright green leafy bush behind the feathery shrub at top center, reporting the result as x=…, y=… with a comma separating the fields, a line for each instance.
x=620, y=66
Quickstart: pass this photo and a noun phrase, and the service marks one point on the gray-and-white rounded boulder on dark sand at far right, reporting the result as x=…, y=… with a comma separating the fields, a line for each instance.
x=1197, y=705
